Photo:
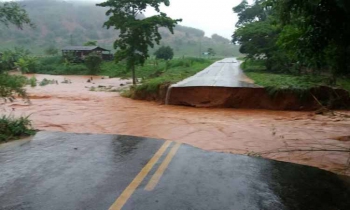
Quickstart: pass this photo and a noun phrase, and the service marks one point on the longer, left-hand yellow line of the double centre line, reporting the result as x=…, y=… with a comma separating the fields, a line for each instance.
x=124, y=197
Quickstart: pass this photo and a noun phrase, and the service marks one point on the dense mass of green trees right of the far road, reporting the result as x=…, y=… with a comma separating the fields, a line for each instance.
x=296, y=36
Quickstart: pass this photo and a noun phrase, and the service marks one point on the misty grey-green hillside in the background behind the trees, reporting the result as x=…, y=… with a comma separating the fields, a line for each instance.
x=61, y=23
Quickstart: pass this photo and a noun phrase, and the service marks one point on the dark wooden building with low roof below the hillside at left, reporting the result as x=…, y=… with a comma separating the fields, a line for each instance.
x=81, y=52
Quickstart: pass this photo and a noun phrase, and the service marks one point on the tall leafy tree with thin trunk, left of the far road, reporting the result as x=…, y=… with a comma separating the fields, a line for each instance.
x=136, y=34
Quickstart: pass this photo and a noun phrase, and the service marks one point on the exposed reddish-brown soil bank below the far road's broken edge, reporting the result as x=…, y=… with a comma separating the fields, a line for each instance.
x=258, y=98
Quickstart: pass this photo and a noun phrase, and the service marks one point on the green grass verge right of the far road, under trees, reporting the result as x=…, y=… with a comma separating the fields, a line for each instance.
x=257, y=72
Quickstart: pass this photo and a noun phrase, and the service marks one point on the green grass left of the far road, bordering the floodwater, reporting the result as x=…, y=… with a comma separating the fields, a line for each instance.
x=153, y=73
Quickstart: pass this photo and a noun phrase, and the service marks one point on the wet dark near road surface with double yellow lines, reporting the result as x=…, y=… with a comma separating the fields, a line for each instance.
x=60, y=171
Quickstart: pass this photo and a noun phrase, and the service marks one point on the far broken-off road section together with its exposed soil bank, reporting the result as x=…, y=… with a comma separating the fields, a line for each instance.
x=224, y=85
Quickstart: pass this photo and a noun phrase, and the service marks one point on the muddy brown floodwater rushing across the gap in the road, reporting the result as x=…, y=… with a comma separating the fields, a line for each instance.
x=282, y=135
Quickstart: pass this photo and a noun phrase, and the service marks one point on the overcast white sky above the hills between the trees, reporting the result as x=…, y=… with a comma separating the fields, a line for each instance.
x=211, y=16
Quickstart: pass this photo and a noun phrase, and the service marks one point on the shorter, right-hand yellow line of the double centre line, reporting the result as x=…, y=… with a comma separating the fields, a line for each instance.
x=156, y=177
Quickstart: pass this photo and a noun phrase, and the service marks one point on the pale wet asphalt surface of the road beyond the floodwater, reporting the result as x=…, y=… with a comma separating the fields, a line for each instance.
x=224, y=73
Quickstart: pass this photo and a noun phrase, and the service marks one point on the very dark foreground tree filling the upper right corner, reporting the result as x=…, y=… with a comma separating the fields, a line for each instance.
x=324, y=31
